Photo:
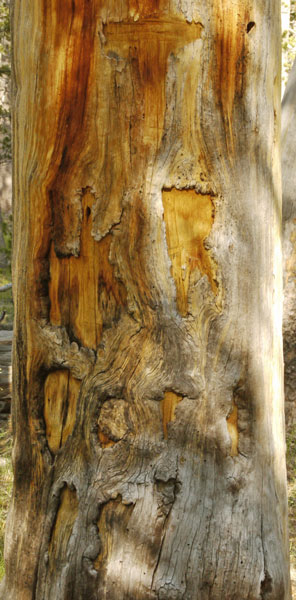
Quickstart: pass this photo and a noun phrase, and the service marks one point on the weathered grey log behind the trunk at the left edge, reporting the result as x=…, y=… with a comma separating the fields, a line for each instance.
x=5, y=374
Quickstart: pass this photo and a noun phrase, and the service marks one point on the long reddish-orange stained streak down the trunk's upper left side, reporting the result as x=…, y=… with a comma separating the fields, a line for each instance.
x=57, y=108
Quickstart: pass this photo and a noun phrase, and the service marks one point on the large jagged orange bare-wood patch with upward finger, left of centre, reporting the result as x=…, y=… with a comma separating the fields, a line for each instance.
x=75, y=283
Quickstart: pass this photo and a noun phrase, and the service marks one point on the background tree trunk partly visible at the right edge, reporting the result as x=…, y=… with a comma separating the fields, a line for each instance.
x=289, y=244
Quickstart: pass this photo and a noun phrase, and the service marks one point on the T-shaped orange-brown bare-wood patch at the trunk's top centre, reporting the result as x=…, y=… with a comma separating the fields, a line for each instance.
x=148, y=42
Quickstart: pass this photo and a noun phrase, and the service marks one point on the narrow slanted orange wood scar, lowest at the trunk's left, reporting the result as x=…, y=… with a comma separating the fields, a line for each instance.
x=66, y=517
